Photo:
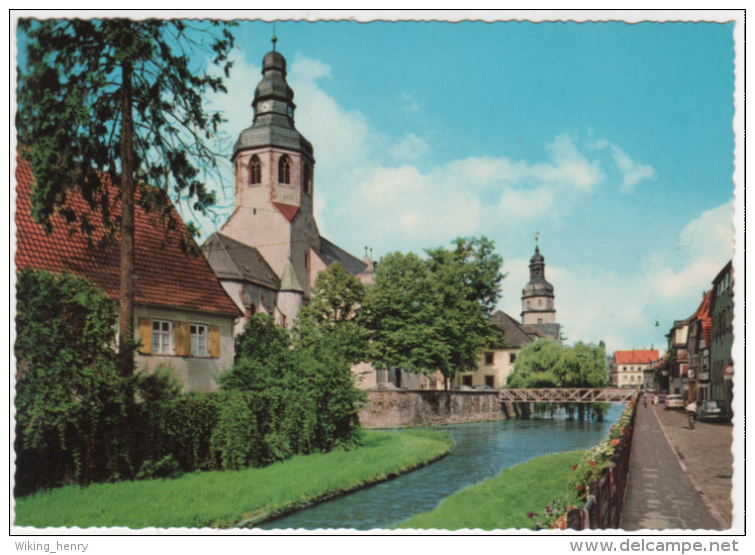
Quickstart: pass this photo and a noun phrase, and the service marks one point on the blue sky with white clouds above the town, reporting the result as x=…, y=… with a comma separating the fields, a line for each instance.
x=613, y=142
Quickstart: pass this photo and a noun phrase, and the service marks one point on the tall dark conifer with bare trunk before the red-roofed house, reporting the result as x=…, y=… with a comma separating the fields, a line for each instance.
x=124, y=99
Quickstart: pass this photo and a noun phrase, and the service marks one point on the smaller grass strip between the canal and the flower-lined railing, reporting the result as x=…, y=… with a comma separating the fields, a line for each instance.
x=504, y=501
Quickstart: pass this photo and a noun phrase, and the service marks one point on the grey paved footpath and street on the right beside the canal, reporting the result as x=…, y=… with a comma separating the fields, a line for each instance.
x=673, y=481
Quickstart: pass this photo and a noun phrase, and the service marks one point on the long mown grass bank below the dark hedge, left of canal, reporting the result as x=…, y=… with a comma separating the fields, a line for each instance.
x=221, y=499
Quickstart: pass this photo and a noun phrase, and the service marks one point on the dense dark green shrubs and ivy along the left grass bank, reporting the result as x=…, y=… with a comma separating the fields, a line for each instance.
x=78, y=421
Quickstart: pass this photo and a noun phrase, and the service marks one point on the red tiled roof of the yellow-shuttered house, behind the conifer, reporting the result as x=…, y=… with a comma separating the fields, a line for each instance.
x=166, y=275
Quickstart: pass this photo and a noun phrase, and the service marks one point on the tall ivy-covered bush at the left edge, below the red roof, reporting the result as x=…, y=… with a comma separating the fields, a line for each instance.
x=70, y=400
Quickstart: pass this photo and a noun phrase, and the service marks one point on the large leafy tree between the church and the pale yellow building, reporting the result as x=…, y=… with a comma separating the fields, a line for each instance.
x=428, y=315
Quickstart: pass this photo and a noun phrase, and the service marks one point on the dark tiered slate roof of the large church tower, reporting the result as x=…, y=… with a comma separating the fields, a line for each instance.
x=274, y=107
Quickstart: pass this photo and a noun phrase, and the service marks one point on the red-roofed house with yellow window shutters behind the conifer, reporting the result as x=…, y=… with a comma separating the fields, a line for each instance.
x=183, y=317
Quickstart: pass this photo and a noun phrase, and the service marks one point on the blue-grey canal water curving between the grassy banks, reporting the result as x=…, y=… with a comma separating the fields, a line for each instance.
x=482, y=450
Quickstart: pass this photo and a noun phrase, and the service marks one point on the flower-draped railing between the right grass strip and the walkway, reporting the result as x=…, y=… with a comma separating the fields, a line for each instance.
x=605, y=501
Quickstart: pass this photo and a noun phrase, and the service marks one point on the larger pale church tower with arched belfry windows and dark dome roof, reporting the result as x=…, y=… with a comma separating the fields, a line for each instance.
x=274, y=180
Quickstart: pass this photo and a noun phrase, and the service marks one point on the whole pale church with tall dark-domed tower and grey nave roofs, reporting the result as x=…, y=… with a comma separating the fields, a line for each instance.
x=269, y=252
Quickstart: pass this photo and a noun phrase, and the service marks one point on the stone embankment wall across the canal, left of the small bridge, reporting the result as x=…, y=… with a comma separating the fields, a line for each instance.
x=396, y=408
